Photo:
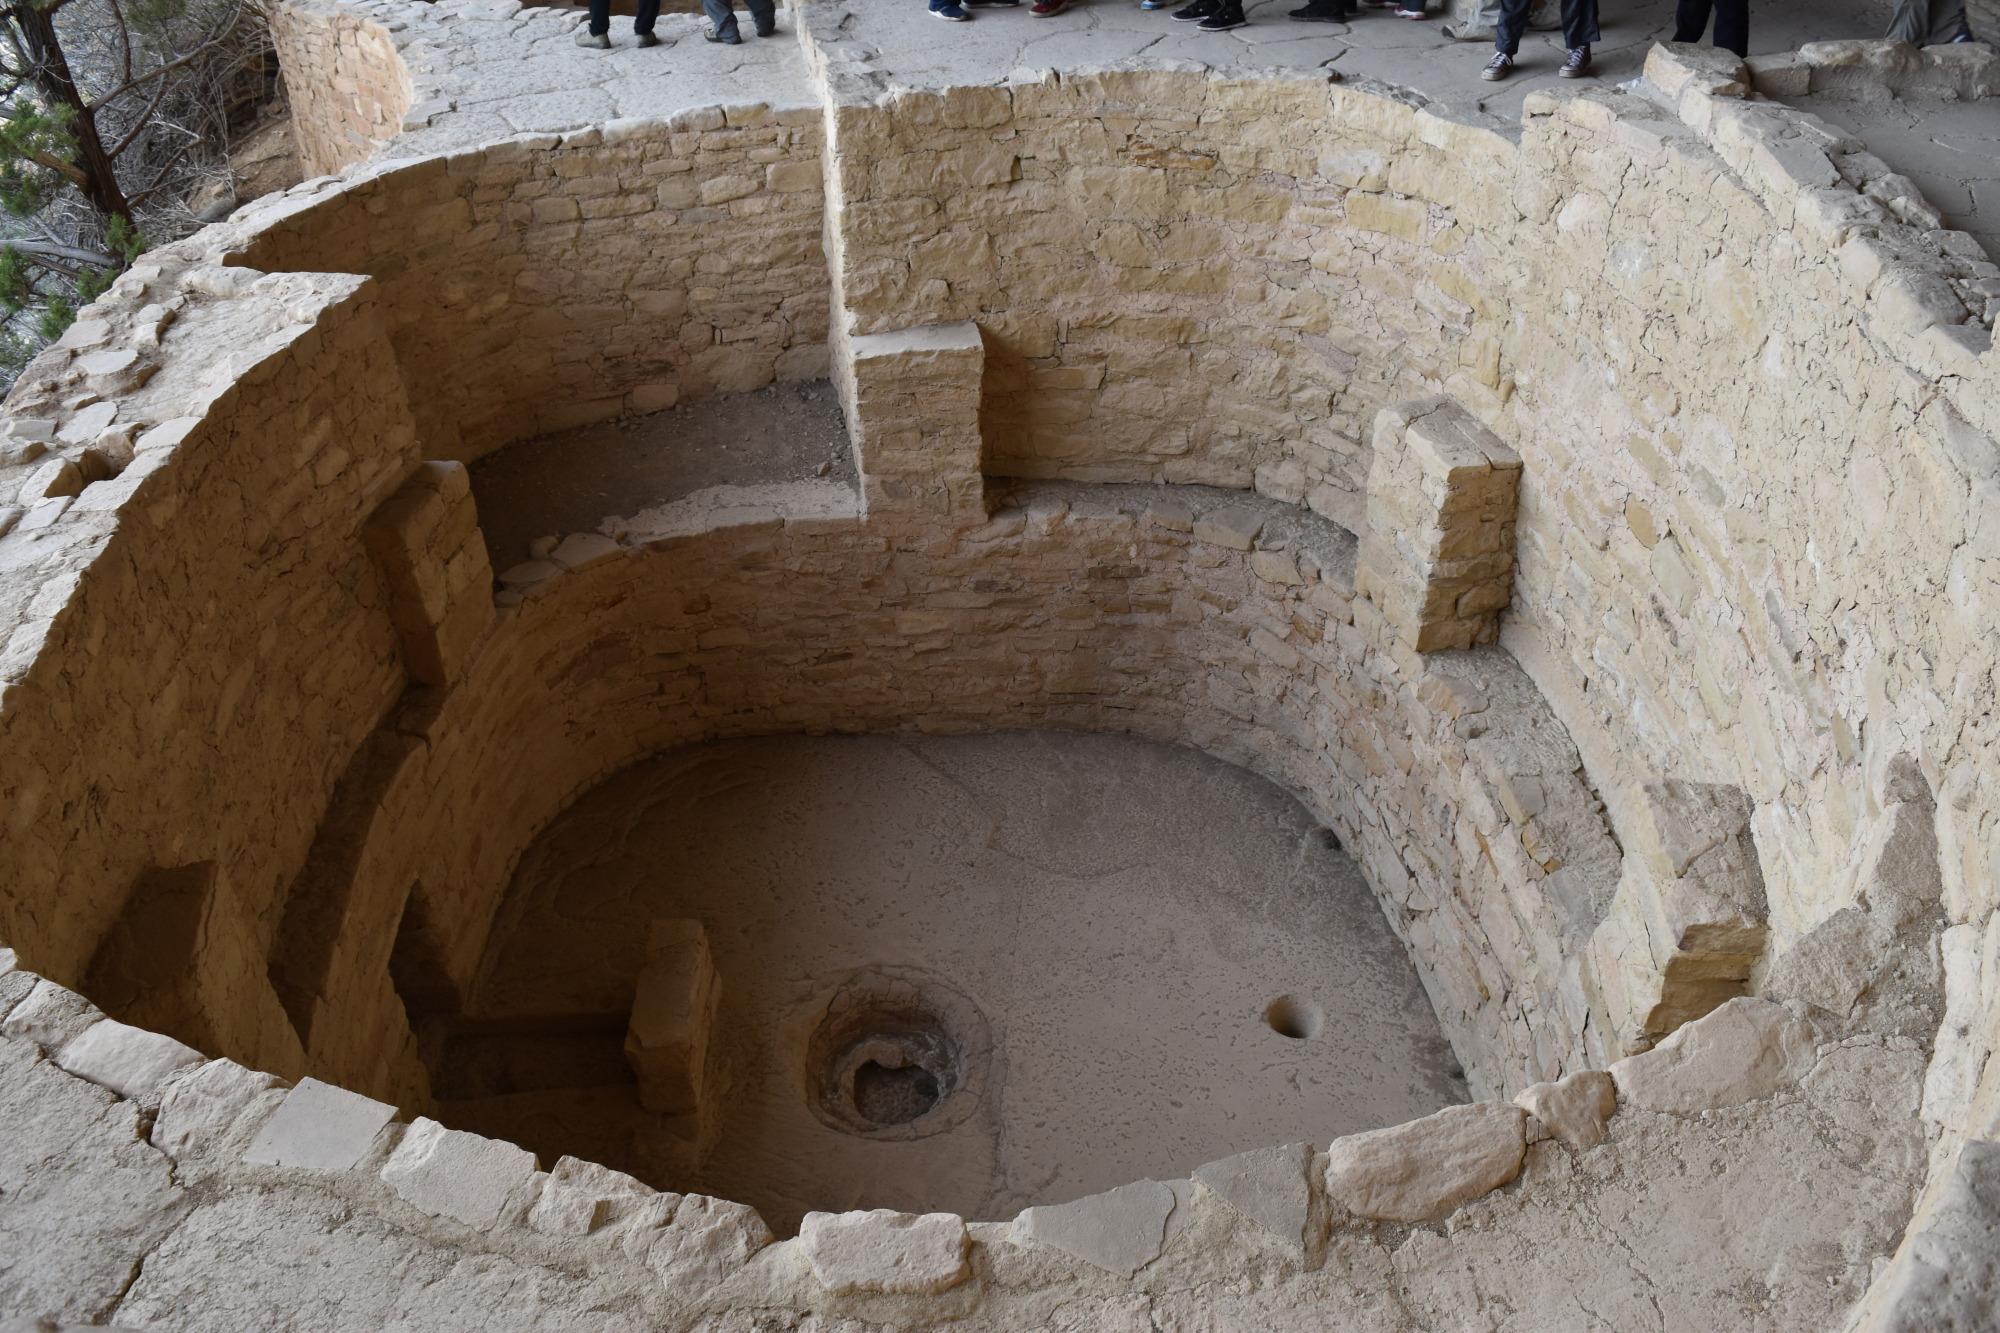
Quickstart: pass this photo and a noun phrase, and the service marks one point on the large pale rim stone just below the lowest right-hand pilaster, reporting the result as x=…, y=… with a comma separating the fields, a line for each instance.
x=1743, y=1052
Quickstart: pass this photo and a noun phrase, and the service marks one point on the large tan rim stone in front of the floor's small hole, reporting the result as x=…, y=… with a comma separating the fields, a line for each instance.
x=1425, y=1170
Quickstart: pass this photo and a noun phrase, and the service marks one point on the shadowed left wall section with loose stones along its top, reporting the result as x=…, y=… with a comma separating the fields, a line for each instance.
x=201, y=549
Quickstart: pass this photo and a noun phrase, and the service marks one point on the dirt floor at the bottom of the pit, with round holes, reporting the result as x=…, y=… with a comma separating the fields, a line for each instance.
x=1149, y=958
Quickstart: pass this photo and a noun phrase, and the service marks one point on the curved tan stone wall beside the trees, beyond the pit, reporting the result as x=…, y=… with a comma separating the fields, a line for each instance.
x=349, y=89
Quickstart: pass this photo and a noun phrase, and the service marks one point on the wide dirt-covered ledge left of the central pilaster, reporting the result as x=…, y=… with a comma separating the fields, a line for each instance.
x=575, y=481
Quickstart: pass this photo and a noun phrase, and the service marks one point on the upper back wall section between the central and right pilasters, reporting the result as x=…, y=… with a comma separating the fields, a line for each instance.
x=1179, y=277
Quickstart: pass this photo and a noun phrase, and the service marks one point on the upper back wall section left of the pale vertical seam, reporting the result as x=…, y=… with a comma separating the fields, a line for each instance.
x=547, y=283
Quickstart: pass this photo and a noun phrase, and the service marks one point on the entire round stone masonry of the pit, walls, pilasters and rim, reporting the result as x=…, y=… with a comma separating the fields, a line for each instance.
x=1653, y=696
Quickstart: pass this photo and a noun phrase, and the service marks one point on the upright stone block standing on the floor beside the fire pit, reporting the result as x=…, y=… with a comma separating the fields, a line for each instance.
x=667, y=1042
